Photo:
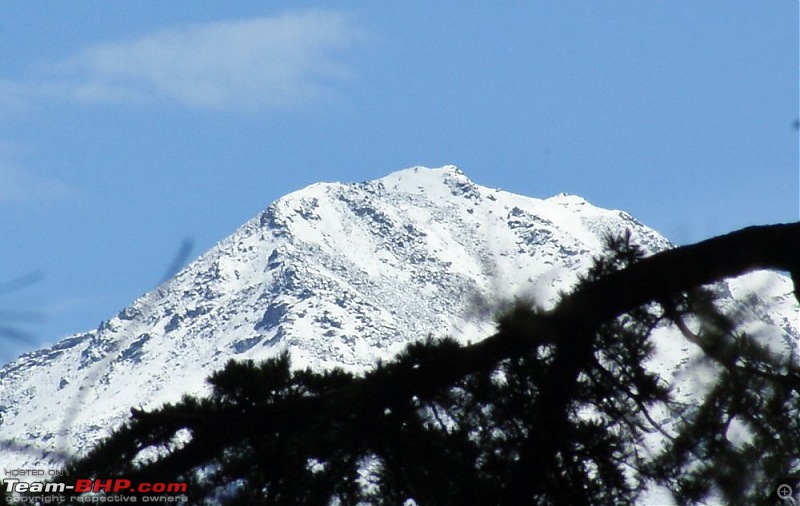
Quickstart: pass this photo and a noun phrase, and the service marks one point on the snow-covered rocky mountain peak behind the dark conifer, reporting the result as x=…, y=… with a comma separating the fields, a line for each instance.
x=339, y=275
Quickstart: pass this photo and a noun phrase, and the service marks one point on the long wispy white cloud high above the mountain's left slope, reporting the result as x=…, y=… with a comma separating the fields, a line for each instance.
x=270, y=62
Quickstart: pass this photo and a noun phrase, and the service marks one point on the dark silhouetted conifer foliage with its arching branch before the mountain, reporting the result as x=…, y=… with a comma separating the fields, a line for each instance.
x=558, y=407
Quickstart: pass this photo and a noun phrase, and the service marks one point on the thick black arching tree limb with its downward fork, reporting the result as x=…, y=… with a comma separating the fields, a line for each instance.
x=571, y=327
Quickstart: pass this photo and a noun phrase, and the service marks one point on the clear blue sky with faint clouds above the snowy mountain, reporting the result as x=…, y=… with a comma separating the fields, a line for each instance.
x=129, y=130
